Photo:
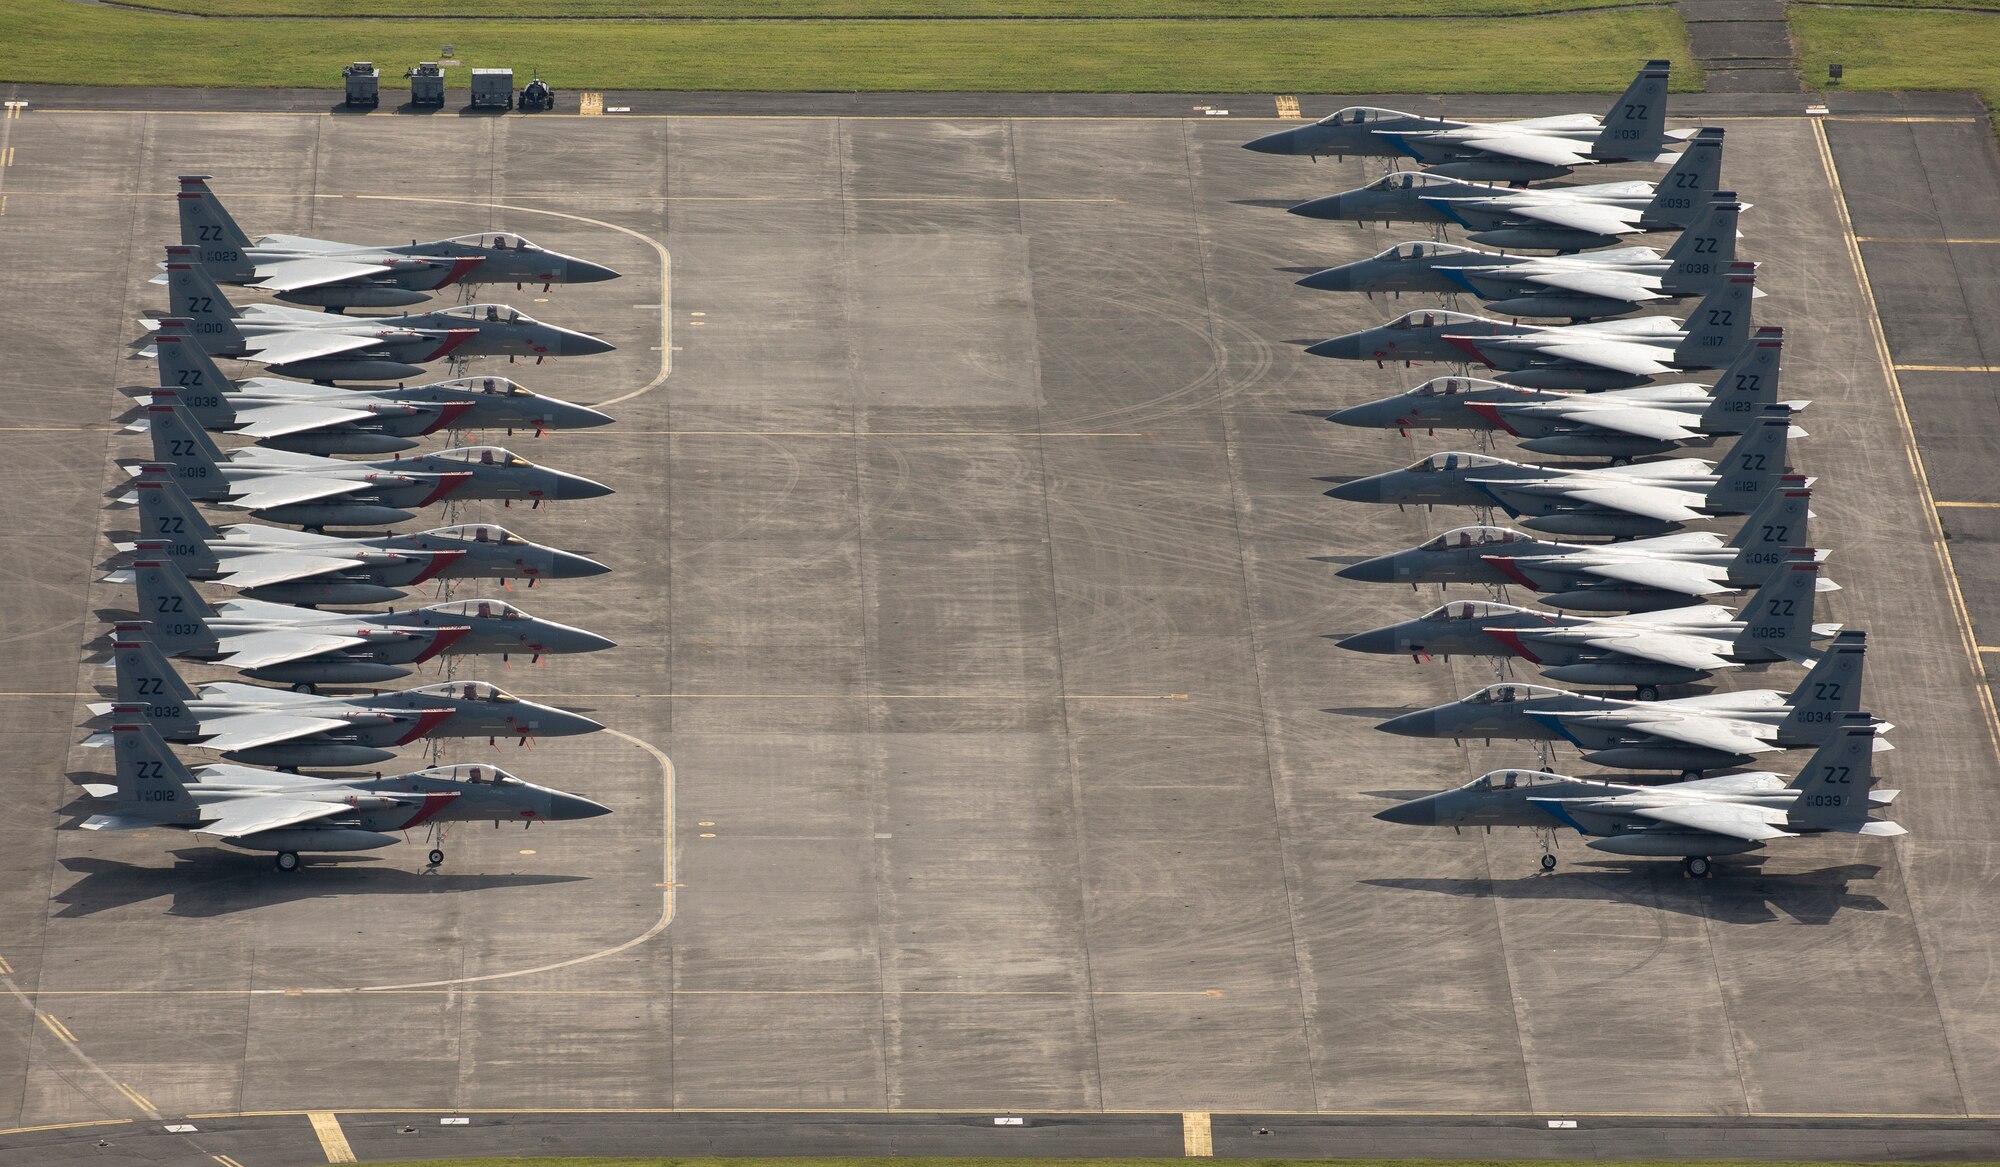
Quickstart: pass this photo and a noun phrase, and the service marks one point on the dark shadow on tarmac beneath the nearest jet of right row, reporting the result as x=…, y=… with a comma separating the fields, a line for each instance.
x=1737, y=894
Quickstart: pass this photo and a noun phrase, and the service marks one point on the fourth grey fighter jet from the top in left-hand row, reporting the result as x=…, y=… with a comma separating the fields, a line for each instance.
x=315, y=493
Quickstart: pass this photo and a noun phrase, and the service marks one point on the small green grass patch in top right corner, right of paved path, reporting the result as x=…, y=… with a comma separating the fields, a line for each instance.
x=1903, y=51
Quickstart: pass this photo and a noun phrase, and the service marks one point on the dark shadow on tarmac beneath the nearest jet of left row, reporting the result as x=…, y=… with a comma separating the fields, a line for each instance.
x=209, y=882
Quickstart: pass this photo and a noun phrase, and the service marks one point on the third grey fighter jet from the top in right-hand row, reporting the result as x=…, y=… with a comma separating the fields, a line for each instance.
x=1575, y=287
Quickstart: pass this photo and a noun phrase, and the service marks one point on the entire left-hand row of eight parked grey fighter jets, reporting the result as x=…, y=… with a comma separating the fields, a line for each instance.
x=279, y=630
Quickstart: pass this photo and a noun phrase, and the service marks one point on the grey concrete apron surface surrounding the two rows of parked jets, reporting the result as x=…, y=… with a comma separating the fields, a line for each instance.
x=967, y=575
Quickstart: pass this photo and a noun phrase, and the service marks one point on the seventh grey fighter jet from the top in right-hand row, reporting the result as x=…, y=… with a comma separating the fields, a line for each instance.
x=1631, y=577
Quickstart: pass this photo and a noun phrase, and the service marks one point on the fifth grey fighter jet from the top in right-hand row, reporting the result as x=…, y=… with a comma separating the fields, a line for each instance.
x=1619, y=425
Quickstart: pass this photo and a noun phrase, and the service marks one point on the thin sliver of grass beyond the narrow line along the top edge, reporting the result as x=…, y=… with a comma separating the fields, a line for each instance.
x=877, y=9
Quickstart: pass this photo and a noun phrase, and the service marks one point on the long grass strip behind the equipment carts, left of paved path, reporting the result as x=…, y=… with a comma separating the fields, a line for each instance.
x=63, y=43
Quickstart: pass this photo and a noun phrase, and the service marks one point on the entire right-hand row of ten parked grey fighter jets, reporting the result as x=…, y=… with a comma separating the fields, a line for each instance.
x=1635, y=610
